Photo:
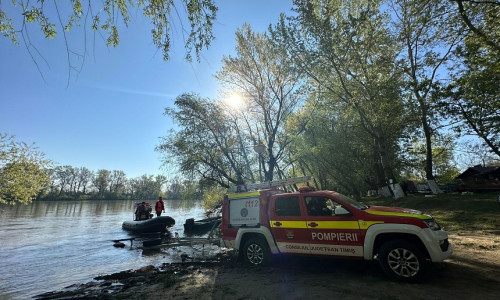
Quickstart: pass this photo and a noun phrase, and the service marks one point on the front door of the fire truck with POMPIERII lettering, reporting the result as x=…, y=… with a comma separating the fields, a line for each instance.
x=332, y=229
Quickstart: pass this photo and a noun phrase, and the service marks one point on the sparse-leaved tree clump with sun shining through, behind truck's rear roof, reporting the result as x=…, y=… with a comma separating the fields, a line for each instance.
x=216, y=140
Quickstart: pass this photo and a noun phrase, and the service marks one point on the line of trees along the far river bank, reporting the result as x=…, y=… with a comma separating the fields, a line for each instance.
x=26, y=175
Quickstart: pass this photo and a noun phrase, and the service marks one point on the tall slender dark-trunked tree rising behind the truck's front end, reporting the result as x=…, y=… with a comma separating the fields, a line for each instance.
x=426, y=31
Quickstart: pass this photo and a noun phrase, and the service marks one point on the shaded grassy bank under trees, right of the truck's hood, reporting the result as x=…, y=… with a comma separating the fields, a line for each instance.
x=455, y=212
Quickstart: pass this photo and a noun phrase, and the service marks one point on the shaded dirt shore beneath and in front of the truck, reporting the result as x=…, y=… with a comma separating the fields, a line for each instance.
x=473, y=272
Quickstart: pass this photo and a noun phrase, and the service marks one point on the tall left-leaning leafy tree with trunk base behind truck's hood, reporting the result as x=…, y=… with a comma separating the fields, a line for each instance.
x=349, y=56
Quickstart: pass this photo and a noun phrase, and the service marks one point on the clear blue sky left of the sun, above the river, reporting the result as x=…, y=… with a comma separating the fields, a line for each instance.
x=111, y=114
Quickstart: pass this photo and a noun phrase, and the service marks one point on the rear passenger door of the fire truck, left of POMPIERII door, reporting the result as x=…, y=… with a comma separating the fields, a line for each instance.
x=287, y=220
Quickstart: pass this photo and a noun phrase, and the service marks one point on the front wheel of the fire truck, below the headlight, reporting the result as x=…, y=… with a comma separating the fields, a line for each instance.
x=402, y=261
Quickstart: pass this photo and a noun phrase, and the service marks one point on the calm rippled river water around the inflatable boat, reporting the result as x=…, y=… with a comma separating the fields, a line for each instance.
x=49, y=245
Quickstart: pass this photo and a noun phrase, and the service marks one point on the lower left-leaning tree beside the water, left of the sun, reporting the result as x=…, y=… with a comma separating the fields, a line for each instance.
x=206, y=146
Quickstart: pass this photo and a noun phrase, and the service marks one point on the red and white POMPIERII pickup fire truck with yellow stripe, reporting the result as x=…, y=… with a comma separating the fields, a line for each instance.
x=269, y=221
